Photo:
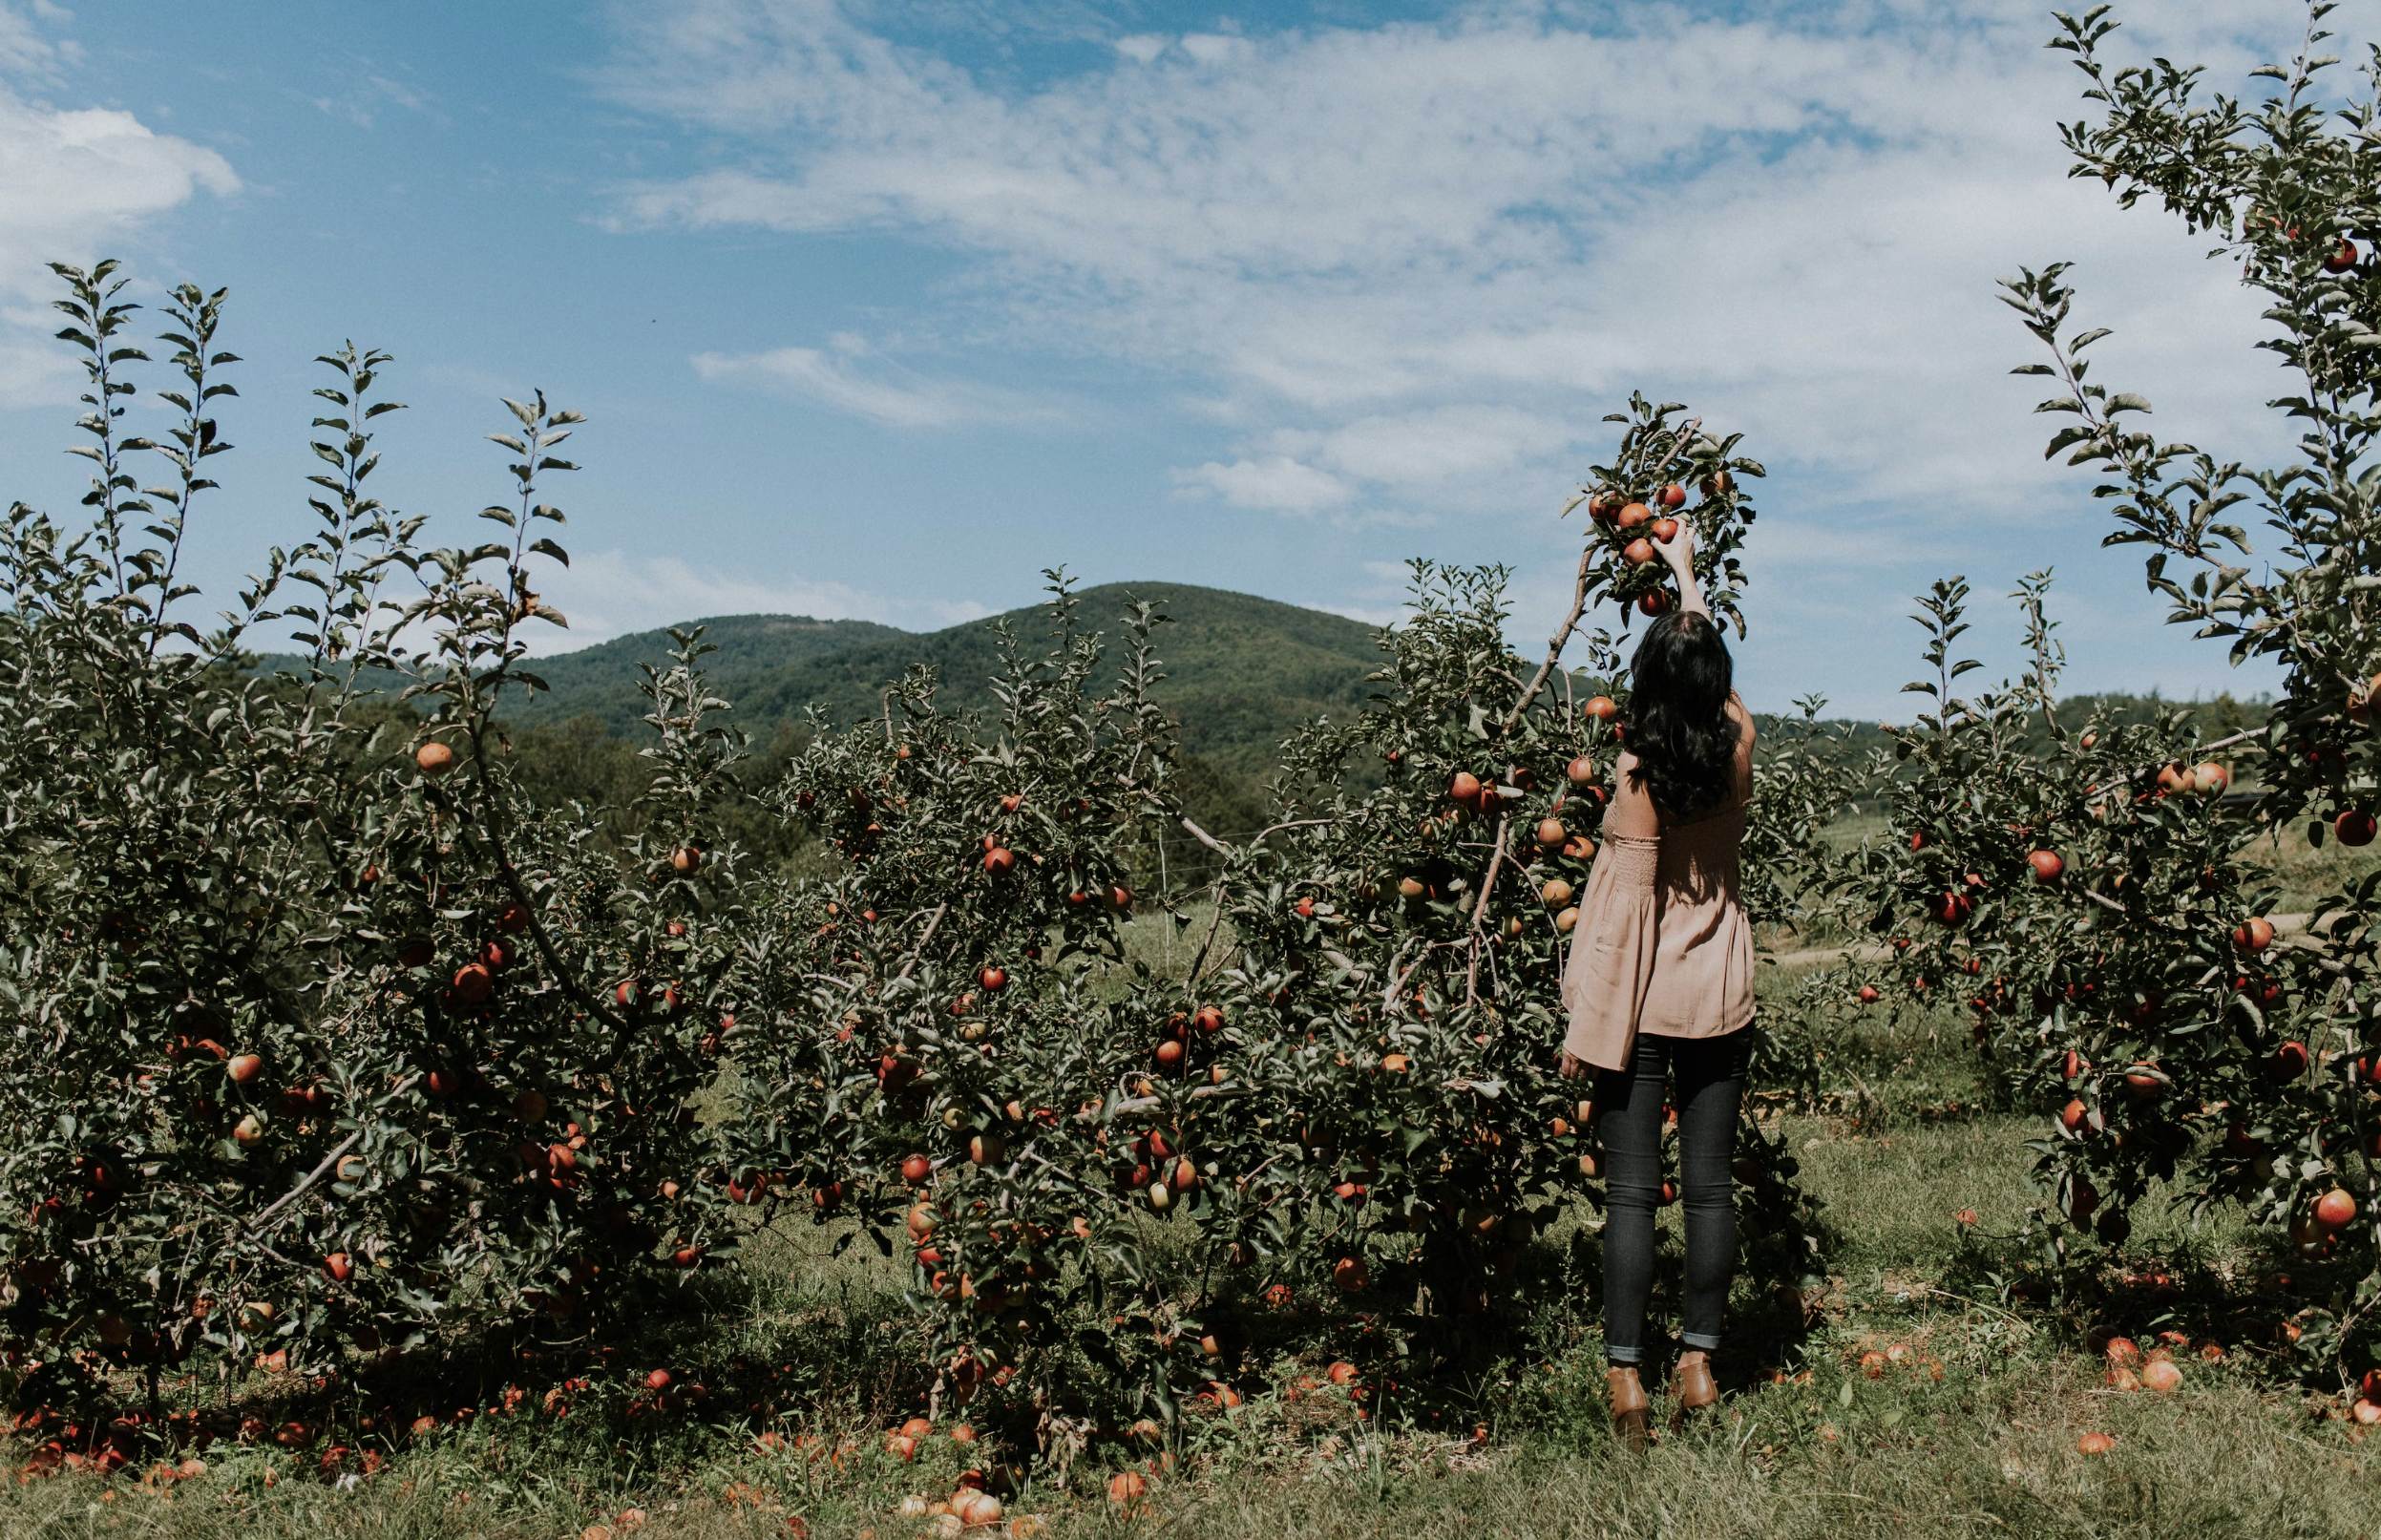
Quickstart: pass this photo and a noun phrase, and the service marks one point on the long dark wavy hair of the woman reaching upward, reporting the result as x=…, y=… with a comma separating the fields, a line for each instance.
x=1680, y=722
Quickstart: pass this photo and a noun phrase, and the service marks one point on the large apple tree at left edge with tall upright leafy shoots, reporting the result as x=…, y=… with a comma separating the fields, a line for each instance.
x=323, y=1037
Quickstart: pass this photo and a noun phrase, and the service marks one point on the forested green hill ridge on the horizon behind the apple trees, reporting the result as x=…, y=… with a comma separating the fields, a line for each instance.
x=1242, y=672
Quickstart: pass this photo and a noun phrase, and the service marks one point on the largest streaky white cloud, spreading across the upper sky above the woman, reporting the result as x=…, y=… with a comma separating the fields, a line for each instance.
x=1418, y=263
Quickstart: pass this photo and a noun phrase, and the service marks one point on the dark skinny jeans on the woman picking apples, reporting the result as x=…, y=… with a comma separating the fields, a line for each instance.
x=1711, y=1084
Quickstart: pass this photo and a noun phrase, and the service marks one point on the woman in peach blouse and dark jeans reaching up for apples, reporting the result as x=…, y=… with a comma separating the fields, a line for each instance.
x=1658, y=984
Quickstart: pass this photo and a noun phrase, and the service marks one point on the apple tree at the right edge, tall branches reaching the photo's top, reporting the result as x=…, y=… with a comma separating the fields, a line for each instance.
x=2156, y=1018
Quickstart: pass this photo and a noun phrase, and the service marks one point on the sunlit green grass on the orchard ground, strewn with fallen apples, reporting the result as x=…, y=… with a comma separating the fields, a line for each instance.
x=1968, y=1432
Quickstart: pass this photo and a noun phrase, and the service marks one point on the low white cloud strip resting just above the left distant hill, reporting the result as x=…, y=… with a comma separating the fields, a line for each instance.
x=613, y=591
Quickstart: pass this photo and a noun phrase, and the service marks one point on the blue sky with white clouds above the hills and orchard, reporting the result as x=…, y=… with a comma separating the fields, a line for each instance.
x=880, y=308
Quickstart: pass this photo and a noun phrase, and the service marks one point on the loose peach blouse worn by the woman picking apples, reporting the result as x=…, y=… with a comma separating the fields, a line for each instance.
x=1663, y=944
